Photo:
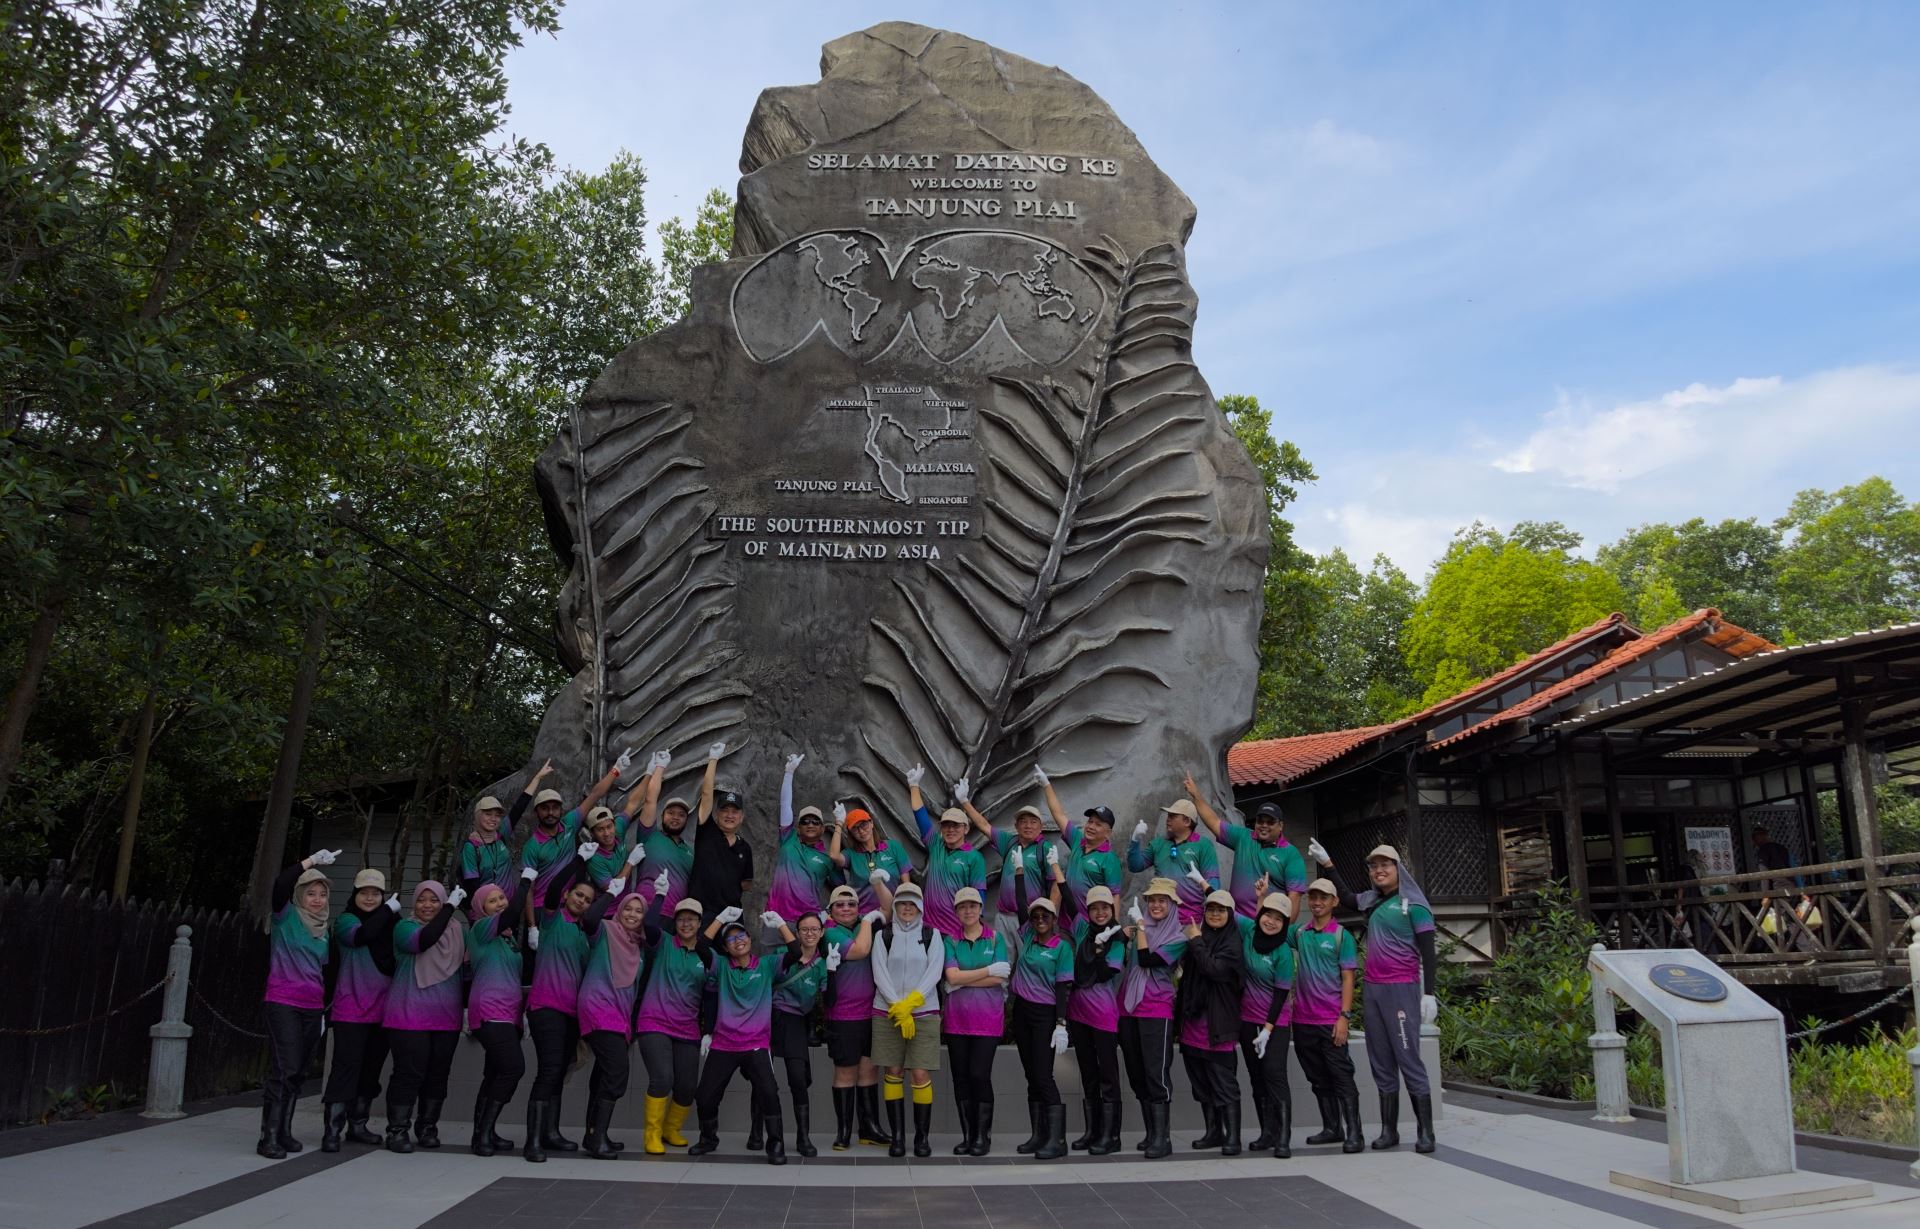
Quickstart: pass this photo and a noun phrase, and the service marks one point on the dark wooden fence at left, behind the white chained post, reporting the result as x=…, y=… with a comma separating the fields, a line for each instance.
x=84, y=978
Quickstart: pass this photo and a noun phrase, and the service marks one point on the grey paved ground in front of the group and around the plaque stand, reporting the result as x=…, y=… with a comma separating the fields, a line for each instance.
x=1499, y=1169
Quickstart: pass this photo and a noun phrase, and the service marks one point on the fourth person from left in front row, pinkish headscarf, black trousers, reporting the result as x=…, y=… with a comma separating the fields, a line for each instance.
x=494, y=1005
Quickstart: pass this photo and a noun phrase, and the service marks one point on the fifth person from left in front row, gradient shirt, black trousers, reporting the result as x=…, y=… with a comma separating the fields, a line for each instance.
x=554, y=1000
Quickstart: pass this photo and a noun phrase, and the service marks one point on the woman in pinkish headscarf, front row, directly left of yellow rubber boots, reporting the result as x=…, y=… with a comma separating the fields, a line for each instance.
x=610, y=984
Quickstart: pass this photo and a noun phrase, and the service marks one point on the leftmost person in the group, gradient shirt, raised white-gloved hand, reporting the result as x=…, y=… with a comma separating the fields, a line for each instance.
x=297, y=996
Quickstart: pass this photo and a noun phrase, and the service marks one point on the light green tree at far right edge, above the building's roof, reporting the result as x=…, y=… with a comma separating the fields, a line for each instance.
x=1852, y=562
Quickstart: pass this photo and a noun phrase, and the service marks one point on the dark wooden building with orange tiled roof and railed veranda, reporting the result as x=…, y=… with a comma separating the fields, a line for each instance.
x=1644, y=771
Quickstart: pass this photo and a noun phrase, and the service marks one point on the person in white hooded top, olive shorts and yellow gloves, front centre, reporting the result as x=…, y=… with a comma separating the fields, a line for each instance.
x=909, y=961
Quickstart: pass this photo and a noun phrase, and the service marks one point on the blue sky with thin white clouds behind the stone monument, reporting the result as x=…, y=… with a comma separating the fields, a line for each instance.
x=1596, y=264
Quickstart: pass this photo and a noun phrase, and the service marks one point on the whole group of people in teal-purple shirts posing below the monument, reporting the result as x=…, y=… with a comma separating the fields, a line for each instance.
x=613, y=928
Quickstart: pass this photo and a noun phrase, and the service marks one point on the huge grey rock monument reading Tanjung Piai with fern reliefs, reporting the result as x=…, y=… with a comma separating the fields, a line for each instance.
x=926, y=475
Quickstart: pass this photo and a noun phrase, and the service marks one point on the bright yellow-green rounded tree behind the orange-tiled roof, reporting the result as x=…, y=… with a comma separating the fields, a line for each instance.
x=1497, y=598
